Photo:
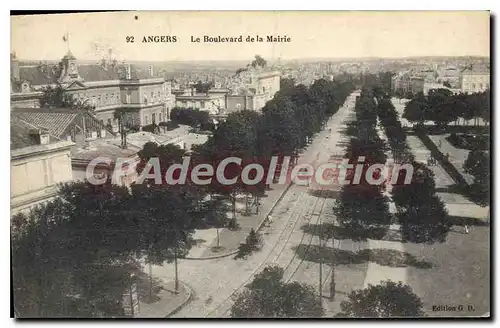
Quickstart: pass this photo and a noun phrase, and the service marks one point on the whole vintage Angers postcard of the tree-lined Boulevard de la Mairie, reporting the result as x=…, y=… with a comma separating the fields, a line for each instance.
x=250, y=164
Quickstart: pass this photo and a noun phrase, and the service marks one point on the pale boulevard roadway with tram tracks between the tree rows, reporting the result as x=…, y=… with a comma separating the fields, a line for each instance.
x=215, y=281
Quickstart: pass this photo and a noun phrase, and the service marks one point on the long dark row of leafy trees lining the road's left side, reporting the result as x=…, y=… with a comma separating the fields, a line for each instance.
x=88, y=243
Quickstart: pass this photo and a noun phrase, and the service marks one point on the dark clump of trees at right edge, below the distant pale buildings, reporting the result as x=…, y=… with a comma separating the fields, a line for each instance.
x=444, y=107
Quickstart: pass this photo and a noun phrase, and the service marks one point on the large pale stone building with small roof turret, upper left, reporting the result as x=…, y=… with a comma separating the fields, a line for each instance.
x=108, y=87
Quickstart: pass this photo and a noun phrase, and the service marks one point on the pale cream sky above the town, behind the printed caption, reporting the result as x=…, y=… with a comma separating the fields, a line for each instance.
x=314, y=34
